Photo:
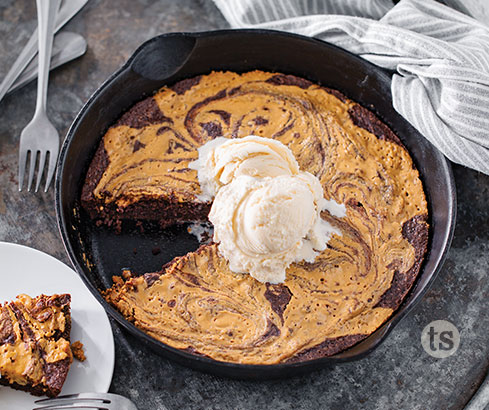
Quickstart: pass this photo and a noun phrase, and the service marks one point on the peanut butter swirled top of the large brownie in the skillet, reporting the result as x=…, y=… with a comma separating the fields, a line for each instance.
x=196, y=303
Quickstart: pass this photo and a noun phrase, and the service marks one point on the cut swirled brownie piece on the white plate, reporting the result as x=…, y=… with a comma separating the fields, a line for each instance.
x=35, y=353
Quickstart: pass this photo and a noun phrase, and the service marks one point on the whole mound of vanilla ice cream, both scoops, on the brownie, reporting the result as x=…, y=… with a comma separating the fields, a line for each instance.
x=266, y=212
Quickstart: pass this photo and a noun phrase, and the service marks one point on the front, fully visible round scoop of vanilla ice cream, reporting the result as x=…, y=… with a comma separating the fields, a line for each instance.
x=262, y=225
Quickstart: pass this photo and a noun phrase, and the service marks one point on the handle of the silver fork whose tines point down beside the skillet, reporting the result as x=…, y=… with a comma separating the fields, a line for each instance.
x=46, y=19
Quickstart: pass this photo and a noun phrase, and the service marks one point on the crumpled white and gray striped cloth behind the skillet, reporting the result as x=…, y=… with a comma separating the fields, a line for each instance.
x=441, y=59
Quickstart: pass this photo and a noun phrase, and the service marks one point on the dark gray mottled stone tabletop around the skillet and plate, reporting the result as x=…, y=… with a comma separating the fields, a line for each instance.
x=399, y=374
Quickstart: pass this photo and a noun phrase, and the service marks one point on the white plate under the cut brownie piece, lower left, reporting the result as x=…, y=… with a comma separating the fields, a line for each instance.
x=26, y=270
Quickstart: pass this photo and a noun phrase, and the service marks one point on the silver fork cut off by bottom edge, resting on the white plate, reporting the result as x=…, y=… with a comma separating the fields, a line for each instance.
x=101, y=401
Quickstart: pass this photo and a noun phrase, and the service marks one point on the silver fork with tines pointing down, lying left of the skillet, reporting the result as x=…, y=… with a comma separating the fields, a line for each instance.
x=40, y=136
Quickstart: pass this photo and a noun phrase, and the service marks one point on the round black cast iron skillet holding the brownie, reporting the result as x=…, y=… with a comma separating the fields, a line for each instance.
x=98, y=253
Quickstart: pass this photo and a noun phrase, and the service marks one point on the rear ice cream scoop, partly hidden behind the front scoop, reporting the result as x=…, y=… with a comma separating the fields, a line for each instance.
x=222, y=159
